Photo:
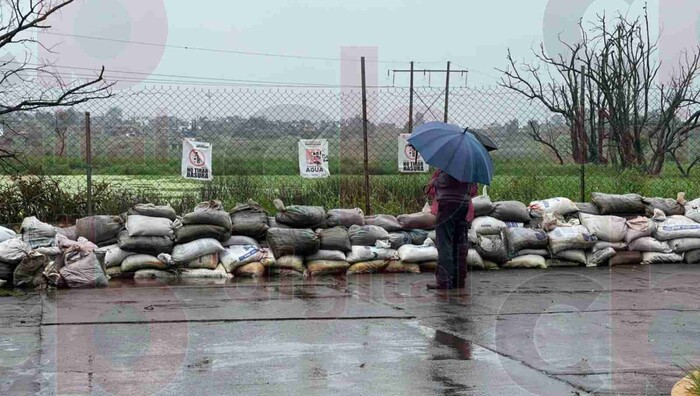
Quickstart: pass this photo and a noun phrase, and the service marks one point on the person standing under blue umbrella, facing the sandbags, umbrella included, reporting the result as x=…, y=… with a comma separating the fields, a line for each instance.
x=463, y=162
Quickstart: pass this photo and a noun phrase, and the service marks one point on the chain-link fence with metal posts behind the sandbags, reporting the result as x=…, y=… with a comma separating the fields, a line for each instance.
x=136, y=145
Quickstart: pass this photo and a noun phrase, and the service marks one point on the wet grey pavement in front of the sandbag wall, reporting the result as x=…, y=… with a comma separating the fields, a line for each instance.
x=625, y=330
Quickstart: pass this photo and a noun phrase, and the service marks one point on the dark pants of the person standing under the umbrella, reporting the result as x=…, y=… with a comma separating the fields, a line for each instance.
x=452, y=244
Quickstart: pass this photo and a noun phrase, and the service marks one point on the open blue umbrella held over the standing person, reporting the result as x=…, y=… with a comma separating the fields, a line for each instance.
x=454, y=150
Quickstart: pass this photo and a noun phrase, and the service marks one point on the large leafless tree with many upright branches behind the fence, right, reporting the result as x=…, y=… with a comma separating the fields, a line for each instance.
x=621, y=94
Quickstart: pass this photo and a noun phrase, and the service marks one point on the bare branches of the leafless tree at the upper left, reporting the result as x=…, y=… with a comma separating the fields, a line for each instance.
x=27, y=83
